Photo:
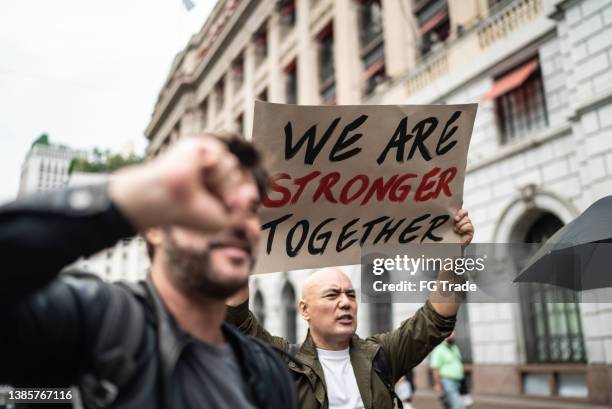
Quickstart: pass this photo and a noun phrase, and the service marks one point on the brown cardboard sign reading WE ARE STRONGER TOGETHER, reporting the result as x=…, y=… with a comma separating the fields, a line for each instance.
x=345, y=176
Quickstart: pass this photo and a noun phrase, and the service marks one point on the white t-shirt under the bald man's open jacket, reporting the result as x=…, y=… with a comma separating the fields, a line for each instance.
x=342, y=389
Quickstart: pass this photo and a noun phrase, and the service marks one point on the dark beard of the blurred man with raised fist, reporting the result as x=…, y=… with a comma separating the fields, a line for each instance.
x=195, y=275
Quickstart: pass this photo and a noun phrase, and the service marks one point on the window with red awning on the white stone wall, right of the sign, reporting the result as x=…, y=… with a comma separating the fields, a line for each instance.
x=519, y=101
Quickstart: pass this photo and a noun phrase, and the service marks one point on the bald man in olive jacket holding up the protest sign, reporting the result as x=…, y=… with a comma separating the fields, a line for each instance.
x=335, y=368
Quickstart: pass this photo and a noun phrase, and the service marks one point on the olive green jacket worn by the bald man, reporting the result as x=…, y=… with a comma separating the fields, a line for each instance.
x=404, y=347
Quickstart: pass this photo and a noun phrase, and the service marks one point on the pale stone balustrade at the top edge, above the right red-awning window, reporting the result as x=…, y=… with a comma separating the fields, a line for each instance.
x=508, y=19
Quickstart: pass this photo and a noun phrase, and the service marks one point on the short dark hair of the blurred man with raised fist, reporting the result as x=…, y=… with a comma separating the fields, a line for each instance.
x=249, y=159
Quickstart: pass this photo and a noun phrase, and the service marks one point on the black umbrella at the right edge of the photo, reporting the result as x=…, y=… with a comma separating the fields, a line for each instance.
x=579, y=255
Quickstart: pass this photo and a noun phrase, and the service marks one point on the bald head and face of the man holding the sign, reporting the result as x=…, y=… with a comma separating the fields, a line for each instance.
x=331, y=306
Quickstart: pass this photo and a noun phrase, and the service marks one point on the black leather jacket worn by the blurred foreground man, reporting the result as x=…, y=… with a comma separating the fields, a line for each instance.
x=116, y=342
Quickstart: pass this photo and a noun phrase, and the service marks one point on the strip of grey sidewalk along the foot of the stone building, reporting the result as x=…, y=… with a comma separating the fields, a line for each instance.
x=427, y=400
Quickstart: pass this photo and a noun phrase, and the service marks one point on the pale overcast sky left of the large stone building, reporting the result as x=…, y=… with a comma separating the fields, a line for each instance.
x=87, y=72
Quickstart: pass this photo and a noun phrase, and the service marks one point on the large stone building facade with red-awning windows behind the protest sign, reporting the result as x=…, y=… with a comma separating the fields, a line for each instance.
x=541, y=150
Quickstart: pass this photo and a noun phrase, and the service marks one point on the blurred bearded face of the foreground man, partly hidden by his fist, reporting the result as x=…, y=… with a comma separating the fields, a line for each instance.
x=216, y=265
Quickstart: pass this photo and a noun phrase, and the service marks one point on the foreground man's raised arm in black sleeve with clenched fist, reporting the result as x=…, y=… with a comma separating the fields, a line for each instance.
x=41, y=234
